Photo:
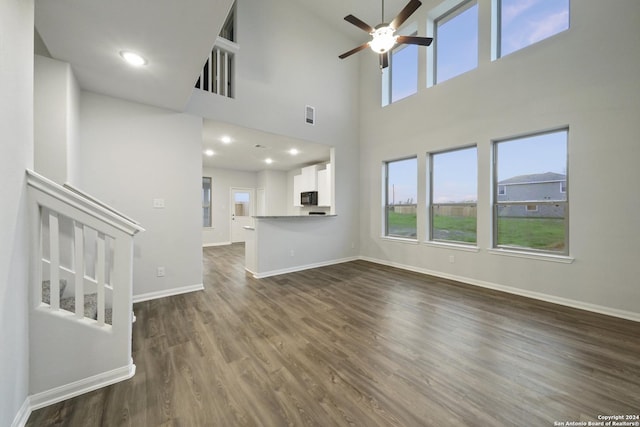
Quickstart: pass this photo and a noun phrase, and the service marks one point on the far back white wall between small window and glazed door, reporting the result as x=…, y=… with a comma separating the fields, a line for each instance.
x=222, y=181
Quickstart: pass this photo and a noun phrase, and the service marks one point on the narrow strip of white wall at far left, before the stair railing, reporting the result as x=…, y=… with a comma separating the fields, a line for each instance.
x=16, y=155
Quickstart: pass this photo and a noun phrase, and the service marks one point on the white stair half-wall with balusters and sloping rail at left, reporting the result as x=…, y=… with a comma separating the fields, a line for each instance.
x=80, y=292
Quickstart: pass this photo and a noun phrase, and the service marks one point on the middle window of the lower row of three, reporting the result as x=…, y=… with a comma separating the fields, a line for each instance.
x=454, y=195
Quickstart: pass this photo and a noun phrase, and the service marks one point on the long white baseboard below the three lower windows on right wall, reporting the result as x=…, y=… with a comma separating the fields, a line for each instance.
x=623, y=314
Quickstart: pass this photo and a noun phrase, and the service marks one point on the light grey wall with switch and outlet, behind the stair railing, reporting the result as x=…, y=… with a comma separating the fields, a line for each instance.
x=133, y=156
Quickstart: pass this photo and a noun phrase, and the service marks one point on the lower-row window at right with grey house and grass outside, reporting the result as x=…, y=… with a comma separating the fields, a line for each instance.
x=532, y=214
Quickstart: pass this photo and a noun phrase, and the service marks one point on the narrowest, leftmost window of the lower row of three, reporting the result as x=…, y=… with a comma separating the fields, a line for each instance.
x=401, y=190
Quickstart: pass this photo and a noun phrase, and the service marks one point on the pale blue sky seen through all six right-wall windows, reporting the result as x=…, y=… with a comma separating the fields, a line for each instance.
x=523, y=22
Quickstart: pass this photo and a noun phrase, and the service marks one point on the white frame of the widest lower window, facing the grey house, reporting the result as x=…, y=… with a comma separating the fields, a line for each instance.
x=496, y=203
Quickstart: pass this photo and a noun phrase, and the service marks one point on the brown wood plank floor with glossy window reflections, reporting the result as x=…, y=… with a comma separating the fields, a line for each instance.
x=364, y=345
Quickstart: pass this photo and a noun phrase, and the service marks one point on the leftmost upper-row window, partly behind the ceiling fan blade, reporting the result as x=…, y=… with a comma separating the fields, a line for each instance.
x=400, y=78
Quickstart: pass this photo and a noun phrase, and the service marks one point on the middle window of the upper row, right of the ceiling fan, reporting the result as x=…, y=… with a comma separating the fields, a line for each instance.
x=456, y=40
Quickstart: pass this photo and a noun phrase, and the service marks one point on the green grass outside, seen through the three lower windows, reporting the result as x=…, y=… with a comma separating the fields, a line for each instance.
x=536, y=233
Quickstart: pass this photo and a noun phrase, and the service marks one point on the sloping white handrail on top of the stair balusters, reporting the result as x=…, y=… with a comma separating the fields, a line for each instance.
x=81, y=201
